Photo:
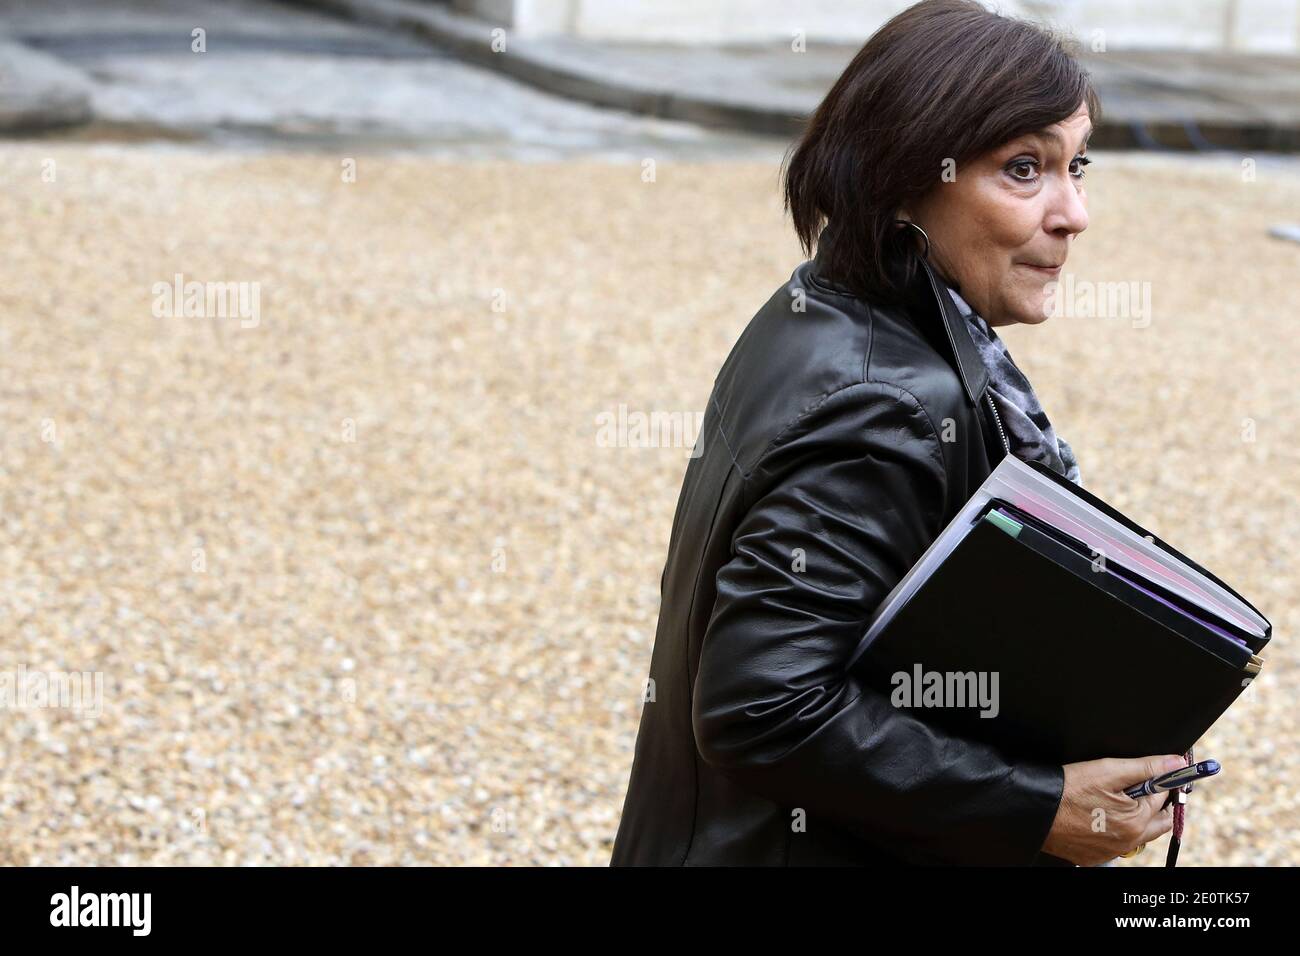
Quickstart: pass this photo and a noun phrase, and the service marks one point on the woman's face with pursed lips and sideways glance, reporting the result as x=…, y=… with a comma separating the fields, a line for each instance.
x=1002, y=230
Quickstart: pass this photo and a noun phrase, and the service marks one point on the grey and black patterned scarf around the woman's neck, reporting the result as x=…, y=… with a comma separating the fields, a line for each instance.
x=1029, y=431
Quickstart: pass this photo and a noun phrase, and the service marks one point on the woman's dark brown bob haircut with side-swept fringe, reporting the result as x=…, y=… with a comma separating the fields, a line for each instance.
x=943, y=81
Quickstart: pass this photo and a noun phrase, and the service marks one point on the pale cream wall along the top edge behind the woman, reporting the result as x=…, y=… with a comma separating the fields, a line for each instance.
x=1251, y=25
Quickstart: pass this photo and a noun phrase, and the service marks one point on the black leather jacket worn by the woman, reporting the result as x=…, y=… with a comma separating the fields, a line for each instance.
x=838, y=443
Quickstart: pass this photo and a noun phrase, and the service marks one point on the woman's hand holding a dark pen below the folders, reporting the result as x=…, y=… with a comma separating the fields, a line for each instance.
x=1097, y=821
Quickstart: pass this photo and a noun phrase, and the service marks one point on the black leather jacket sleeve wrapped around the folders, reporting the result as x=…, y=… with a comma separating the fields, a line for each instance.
x=859, y=485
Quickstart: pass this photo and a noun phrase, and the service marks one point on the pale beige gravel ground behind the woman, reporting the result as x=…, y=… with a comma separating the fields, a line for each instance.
x=362, y=583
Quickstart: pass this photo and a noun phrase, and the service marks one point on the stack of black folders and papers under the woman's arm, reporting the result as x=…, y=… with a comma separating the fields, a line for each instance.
x=1099, y=639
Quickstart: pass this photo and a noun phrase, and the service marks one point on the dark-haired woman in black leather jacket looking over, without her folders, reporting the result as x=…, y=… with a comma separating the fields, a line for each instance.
x=942, y=185
